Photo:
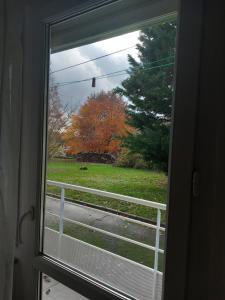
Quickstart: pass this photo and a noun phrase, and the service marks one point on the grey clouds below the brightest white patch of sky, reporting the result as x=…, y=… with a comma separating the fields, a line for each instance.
x=76, y=94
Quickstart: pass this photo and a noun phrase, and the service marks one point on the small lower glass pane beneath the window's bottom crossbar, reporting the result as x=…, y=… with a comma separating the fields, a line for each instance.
x=54, y=290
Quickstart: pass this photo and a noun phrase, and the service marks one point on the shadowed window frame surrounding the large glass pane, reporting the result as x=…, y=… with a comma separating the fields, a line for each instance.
x=38, y=19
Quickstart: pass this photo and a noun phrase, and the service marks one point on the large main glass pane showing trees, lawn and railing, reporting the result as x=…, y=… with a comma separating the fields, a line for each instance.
x=109, y=120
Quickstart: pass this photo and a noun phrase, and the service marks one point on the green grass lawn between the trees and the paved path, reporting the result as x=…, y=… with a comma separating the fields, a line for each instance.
x=145, y=184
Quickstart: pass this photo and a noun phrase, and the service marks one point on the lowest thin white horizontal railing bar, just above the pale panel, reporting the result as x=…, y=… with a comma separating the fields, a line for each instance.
x=109, y=233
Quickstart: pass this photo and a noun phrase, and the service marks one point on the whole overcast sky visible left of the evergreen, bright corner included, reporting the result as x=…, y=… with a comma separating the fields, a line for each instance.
x=76, y=94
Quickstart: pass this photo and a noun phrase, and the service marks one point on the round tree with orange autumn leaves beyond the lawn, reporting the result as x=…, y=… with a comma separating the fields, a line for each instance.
x=98, y=126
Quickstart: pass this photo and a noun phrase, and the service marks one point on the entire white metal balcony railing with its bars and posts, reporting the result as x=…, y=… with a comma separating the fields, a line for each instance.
x=158, y=228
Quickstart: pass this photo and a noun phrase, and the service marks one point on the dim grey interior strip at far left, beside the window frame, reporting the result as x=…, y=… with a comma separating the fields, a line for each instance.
x=10, y=121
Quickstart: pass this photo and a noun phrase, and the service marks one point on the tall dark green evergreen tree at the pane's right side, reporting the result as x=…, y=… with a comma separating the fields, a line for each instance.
x=149, y=90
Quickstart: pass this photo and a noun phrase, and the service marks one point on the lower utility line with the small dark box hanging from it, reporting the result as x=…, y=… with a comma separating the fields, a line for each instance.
x=112, y=74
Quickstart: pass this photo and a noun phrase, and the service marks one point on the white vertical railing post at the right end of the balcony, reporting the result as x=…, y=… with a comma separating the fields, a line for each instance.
x=156, y=259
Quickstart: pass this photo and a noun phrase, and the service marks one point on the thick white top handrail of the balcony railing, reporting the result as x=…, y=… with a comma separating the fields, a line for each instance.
x=108, y=194
